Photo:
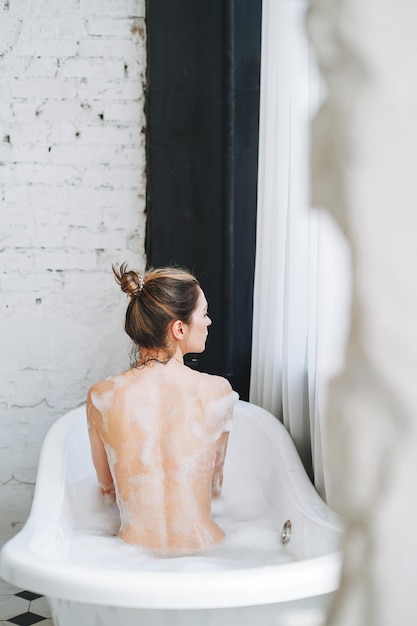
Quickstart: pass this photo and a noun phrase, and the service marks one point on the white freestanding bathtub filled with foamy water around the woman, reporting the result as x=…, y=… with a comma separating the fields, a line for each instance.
x=67, y=550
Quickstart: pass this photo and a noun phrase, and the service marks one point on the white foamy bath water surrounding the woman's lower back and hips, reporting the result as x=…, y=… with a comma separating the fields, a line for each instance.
x=252, y=535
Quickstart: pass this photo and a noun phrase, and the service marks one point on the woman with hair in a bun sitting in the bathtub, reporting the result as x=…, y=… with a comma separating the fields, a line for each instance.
x=159, y=431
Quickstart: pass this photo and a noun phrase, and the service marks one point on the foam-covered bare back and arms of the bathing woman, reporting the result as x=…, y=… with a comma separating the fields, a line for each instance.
x=158, y=436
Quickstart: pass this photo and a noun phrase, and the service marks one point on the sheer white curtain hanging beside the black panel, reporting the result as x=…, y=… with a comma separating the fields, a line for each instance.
x=301, y=291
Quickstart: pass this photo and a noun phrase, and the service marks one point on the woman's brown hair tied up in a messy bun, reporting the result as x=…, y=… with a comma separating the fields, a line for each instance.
x=157, y=298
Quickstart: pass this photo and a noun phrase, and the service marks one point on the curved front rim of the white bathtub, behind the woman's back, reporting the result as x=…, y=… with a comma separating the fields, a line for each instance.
x=173, y=590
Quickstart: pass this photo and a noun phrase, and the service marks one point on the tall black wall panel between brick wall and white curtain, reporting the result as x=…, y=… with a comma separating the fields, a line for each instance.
x=202, y=155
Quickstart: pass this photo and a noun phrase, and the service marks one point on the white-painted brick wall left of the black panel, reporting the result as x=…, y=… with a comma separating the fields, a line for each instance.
x=72, y=185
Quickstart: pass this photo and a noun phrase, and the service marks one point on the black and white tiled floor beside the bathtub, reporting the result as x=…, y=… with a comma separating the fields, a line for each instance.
x=22, y=607
